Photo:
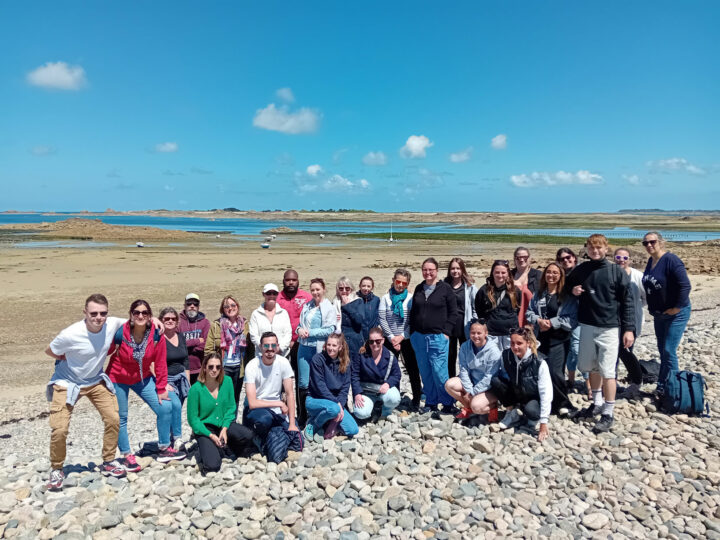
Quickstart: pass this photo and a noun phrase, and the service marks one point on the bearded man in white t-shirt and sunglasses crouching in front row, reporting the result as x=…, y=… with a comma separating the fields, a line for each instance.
x=266, y=378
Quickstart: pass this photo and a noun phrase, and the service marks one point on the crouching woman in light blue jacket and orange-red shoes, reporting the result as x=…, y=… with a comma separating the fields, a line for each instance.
x=479, y=362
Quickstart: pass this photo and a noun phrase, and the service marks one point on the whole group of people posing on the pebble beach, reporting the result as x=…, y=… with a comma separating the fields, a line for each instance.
x=312, y=365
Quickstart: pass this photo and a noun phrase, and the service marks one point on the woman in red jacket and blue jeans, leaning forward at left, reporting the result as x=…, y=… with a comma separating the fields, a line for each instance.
x=139, y=348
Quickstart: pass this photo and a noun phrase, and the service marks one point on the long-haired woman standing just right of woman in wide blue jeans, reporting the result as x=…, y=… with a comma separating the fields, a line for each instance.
x=465, y=290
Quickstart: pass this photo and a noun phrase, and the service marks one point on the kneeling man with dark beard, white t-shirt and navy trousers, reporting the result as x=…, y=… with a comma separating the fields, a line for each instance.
x=271, y=418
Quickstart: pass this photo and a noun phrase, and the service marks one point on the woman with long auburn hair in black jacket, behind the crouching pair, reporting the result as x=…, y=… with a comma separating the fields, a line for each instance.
x=498, y=303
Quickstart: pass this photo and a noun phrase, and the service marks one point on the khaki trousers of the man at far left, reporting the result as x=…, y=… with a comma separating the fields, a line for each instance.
x=106, y=404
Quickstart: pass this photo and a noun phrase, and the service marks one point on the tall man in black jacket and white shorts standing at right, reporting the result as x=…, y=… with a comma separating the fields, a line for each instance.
x=605, y=312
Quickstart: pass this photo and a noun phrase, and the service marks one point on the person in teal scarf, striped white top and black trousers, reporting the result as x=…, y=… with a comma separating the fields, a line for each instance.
x=394, y=318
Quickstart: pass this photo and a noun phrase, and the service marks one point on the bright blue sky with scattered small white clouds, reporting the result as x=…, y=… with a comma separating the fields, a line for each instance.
x=486, y=106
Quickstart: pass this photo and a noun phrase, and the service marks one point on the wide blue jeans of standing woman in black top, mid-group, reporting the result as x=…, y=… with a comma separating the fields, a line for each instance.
x=431, y=351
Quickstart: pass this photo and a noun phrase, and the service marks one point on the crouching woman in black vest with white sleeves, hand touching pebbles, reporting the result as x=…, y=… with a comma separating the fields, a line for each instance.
x=524, y=383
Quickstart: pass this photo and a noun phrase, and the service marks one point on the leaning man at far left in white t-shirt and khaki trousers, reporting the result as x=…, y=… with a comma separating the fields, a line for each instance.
x=79, y=352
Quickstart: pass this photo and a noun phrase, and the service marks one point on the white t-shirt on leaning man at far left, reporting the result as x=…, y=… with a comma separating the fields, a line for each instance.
x=85, y=353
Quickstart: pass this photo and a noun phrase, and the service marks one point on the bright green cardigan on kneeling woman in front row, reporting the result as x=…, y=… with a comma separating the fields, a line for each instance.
x=205, y=409
